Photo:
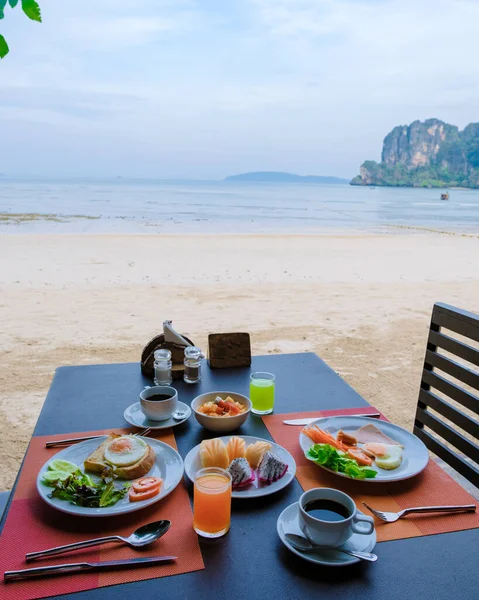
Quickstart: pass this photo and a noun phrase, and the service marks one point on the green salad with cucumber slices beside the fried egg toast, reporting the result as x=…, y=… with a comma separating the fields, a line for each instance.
x=75, y=486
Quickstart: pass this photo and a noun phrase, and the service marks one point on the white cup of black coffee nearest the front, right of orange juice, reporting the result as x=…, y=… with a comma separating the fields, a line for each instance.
x=332, y=533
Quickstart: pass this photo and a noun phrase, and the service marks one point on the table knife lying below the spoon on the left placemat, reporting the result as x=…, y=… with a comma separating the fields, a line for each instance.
x=82, y=567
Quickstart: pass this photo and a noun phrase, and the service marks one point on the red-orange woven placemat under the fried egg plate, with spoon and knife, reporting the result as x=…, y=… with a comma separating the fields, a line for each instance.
x=32, y=525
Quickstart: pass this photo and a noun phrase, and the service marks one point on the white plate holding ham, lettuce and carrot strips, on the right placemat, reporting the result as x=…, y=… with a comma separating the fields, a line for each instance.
x=415, y=454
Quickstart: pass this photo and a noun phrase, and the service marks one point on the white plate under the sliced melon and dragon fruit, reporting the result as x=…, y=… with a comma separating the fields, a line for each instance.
x=256, y=489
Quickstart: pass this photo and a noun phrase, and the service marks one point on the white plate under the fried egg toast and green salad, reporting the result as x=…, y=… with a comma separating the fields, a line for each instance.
x=168, y=466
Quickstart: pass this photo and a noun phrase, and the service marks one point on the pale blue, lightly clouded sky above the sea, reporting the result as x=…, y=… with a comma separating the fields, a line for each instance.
x=203, y=89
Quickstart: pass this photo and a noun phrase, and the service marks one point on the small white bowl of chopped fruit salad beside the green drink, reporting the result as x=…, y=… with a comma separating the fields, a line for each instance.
x=221, y=411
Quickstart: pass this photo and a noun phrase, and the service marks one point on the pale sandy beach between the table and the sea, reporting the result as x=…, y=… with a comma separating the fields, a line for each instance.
x=362, y=303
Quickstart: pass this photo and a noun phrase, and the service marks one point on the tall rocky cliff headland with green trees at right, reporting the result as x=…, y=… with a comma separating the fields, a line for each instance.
x=429, y=154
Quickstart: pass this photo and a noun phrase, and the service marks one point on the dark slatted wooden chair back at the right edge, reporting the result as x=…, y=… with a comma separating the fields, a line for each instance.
x=466, y=324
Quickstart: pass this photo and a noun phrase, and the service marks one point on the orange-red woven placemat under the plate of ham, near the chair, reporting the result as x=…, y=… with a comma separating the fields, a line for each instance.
x=431, y=487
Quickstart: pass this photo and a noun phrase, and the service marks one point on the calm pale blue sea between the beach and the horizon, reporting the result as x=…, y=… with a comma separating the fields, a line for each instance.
x=148, y=206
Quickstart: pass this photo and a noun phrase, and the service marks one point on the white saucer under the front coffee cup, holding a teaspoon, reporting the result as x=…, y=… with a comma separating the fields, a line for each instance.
x=288, y=522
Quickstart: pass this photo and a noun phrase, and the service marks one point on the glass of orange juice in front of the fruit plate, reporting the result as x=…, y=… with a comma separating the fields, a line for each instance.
x=212, y=502
